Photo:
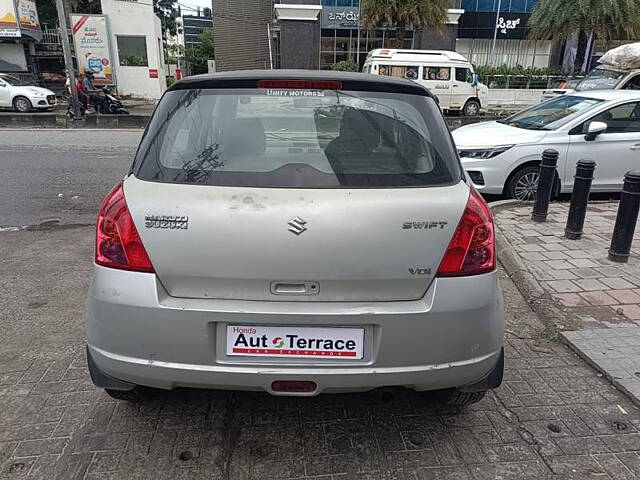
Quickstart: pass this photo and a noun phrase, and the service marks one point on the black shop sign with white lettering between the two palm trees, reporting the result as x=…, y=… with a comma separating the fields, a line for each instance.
x=483, y=25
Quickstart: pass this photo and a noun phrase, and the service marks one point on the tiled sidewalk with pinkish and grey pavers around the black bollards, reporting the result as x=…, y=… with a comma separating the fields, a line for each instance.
x=598, y=300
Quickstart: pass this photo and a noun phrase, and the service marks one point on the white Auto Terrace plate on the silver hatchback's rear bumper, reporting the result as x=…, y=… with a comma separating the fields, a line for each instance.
x=307, y=342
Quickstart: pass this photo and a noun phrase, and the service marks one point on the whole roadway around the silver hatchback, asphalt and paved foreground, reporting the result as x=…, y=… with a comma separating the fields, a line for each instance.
x=553, y=418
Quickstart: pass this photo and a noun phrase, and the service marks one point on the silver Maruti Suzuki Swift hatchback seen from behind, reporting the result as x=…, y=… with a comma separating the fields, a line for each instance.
x=296, y=233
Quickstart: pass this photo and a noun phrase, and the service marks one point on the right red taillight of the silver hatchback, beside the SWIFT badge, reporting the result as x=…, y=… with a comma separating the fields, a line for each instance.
x=472, y=249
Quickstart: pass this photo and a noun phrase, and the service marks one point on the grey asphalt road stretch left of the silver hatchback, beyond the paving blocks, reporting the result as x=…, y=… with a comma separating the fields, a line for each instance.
x=60, y=176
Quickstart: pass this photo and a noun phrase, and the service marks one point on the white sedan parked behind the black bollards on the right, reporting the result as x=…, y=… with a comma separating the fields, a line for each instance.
x=502, y=157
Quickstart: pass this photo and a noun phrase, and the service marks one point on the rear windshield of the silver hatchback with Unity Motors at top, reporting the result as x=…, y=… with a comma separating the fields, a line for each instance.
x=297, y=138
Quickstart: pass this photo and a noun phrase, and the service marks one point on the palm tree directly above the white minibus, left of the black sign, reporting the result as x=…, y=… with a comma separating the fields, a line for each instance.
x=401, y=13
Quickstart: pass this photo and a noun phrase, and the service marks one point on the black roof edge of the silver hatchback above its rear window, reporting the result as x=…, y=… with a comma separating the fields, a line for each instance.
x=350, y=80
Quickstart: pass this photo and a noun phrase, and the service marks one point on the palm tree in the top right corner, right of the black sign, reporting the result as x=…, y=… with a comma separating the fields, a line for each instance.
x=604, y=19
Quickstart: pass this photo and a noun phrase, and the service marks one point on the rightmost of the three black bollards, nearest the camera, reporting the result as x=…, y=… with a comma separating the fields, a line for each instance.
x=626, y=219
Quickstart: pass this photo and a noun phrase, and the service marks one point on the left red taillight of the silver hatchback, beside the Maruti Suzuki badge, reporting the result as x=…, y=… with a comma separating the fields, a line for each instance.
x=118, y=244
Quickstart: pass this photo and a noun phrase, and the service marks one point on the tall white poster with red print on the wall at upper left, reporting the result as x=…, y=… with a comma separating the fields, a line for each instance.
x=91, y=41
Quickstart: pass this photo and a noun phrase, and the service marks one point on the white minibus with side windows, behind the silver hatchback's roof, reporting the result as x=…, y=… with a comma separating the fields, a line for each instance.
x=448, y=75
